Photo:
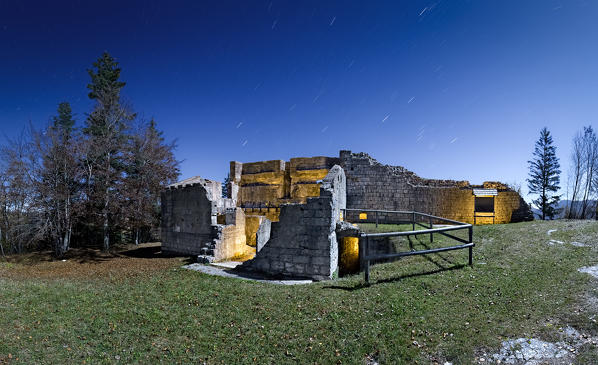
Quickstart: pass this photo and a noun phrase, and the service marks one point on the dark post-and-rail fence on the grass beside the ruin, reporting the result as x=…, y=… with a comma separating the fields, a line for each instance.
x=364, y=238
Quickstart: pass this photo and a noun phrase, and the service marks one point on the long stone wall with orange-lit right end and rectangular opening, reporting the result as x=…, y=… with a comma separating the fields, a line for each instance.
x=372, y=185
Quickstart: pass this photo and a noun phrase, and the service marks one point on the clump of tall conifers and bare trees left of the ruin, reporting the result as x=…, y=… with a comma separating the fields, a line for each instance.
x=69, y=185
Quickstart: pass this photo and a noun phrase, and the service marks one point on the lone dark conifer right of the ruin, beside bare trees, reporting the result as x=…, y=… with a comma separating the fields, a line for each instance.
x=544, y=175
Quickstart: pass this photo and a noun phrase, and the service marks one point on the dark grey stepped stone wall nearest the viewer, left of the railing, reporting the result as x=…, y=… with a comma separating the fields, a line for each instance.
x=303, y=242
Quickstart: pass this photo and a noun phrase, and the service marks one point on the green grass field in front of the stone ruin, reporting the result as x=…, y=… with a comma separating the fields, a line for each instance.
x=138, y=307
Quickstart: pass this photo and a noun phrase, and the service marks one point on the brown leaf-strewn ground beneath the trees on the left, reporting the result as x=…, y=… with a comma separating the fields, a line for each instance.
x=89, y=263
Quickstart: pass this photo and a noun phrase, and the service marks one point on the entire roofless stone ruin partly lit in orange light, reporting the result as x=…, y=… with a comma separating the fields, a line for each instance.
x=286, y=218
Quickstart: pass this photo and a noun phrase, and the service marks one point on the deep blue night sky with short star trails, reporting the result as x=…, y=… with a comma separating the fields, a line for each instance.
x=448, y=89
